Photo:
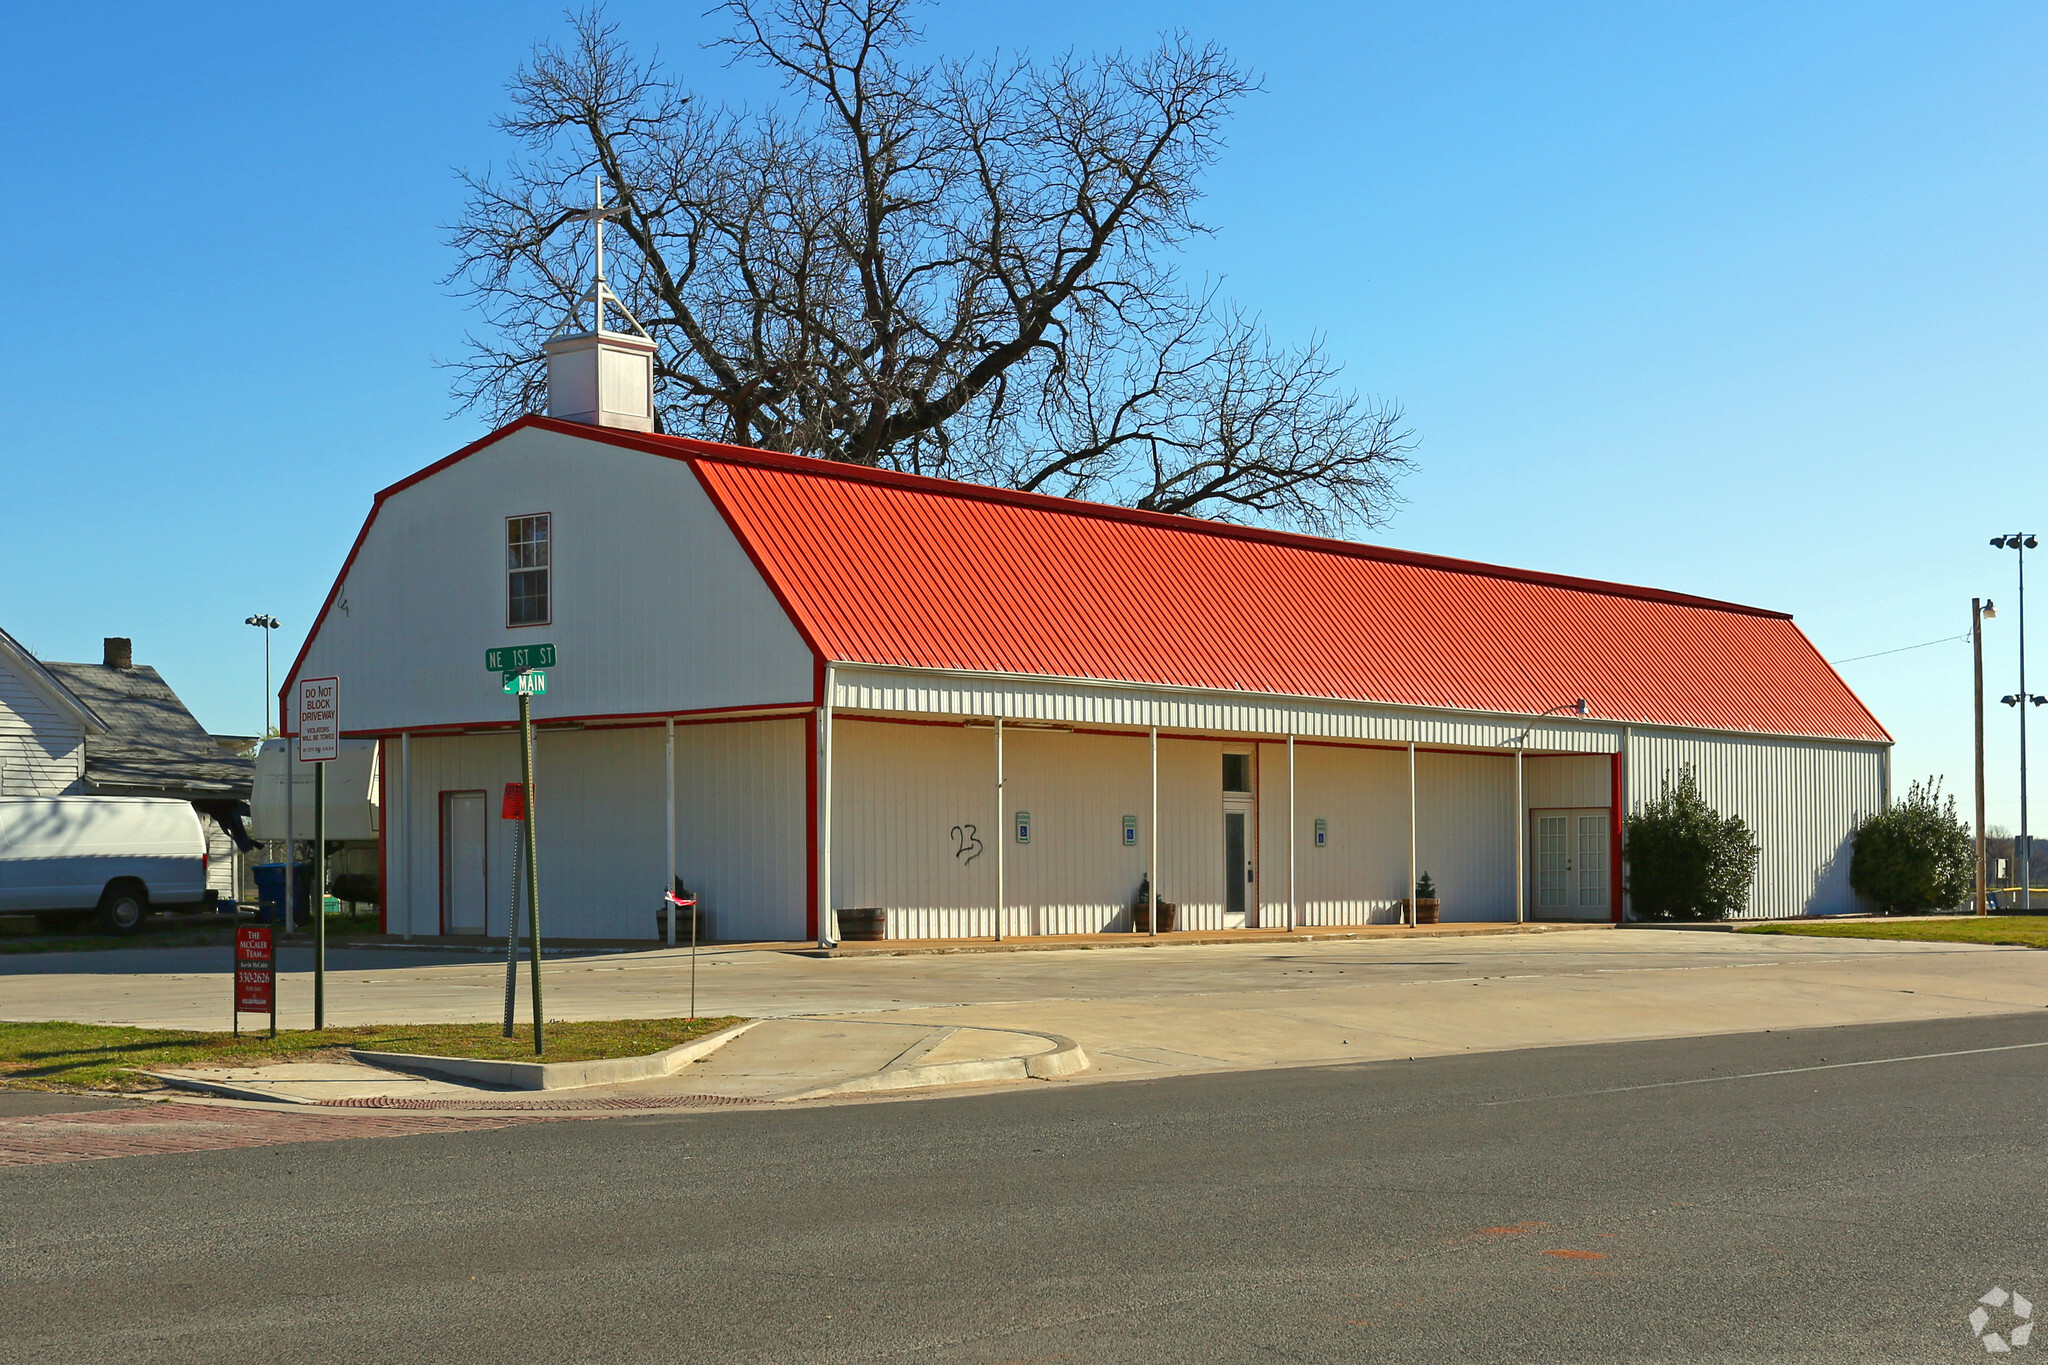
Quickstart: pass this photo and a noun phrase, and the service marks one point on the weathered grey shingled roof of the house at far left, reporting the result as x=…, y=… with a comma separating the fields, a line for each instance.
x=153, y=744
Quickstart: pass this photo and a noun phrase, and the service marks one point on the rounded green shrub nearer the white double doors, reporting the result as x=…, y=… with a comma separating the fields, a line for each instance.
x=1684, y=858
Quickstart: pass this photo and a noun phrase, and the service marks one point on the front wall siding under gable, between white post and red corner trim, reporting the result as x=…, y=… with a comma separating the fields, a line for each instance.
x=740, y=824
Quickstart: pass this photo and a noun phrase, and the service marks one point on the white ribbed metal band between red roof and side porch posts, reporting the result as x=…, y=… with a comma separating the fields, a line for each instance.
x=1023, y=699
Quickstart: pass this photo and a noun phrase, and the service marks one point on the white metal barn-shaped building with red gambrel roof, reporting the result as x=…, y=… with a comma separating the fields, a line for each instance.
x=816, y=691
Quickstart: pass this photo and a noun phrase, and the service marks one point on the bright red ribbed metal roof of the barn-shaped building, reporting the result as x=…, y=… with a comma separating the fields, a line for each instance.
x=898, y=570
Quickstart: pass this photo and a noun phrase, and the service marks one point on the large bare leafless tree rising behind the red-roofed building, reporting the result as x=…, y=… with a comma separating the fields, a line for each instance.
x=959, y=269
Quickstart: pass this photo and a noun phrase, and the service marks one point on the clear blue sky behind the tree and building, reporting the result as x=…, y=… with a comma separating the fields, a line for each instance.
x=1740, y=300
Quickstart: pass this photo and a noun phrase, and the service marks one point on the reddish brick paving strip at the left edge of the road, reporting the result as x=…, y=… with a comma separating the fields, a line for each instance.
x=165, y=1129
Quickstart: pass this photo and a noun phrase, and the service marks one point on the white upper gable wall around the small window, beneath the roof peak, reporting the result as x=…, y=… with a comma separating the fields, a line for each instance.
x=656, y=605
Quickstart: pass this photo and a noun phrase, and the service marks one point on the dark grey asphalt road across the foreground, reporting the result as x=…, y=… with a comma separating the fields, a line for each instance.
x=1625, y=1202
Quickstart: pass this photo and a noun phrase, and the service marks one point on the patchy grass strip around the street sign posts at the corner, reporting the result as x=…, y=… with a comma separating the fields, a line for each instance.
x=48, y=1057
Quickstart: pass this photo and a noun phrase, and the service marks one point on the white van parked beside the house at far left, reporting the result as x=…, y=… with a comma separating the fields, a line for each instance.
x=122, y=856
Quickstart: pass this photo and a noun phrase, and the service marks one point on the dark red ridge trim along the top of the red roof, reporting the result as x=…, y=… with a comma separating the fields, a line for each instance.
x=695, y=449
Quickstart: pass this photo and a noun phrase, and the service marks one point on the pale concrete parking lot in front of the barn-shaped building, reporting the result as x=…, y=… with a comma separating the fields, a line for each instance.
x=1136, y=1010
